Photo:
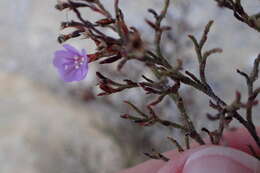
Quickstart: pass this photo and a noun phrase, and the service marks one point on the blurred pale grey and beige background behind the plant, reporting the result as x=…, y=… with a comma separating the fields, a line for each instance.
x=47, y=125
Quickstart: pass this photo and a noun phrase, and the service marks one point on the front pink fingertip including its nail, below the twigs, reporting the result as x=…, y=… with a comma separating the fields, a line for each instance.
x=212, y=159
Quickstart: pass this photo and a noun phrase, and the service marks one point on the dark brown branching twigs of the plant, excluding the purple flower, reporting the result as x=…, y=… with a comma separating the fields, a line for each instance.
x=128, y=45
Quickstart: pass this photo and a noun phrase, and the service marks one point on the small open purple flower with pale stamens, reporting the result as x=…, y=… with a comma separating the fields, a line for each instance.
x=71, y=64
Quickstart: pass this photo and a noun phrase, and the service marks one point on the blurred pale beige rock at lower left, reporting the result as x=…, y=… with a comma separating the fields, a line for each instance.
x=42, y=133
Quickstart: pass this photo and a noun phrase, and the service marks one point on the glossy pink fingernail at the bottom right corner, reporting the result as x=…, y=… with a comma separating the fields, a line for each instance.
x=217, y=159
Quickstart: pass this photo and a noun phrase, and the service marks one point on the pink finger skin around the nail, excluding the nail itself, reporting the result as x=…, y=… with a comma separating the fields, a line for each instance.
x=238, y=140
